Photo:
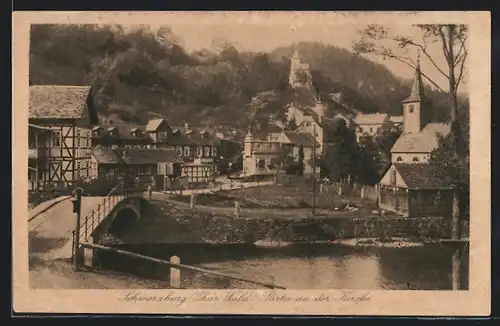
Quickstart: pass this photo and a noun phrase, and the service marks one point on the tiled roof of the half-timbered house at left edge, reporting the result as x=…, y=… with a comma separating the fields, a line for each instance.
x=57, y=101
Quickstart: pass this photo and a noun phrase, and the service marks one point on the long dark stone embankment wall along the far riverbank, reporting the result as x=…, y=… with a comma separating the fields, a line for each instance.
x=169, y=225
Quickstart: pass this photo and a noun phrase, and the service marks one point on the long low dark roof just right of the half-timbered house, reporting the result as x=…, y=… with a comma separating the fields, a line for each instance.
x=148, y=155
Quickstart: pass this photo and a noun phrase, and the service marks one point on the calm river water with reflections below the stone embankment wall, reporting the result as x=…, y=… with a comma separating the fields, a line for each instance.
x=304, y=266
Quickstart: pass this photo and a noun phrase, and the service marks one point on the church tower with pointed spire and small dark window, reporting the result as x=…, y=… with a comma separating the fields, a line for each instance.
x=416, y=107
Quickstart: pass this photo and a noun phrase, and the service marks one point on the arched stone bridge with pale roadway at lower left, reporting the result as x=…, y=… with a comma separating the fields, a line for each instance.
x=52, y=232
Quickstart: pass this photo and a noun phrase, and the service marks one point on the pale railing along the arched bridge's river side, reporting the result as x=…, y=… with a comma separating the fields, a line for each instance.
x=90, y=222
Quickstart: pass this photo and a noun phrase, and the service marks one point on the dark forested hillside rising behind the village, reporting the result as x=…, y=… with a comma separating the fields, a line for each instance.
x=136, y=73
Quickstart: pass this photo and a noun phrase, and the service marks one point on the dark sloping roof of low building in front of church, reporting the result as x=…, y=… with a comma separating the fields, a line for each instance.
x=423, y=176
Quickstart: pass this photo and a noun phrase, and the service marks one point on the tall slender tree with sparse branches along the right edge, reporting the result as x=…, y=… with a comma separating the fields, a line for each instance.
x=452, y=40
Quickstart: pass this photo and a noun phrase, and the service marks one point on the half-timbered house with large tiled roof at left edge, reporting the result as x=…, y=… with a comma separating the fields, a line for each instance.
x=59, y=135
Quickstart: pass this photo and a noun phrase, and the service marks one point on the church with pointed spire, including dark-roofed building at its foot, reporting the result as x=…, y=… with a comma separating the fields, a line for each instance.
x=412, y=186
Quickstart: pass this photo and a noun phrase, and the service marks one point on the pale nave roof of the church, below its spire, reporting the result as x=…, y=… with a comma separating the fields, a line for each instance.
x=424, y=141
